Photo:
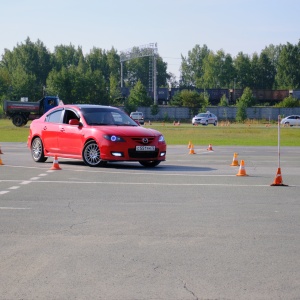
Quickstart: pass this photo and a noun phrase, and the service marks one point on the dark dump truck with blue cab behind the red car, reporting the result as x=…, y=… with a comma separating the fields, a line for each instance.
x=21, y=112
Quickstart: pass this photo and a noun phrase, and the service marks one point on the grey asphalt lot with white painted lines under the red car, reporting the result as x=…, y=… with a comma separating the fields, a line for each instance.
x=187, y=229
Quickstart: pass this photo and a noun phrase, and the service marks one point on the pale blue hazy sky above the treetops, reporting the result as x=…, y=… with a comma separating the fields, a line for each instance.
x=177, y=26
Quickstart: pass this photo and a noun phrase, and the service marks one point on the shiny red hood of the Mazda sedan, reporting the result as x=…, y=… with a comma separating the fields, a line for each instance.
x=130, y=131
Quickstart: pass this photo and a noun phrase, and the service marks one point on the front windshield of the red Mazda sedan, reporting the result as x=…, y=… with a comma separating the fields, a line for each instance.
x=106, y=116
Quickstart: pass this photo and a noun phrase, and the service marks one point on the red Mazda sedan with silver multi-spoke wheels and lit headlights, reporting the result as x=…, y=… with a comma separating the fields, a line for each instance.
x=96, y=134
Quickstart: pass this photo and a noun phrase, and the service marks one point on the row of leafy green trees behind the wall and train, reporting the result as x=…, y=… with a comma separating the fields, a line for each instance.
x=31, y=70
